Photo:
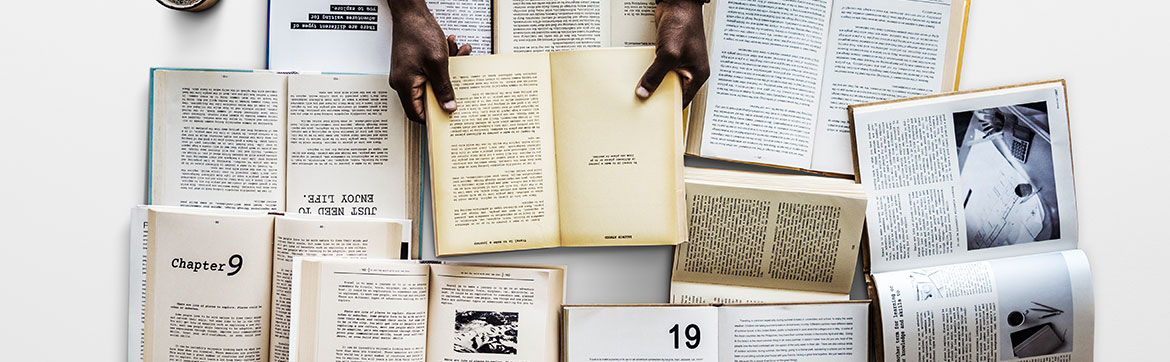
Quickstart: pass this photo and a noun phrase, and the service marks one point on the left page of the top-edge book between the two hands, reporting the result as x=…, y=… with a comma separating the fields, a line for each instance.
x=529, y=26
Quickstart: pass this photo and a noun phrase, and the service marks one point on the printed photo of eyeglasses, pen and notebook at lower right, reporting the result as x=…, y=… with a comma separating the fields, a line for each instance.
x=1036, y=306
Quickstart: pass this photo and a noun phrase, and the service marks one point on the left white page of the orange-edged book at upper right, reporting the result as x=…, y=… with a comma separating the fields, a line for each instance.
x=762, y=99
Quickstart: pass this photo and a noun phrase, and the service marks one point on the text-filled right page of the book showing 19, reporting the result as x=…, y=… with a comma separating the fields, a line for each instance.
x=817, y=332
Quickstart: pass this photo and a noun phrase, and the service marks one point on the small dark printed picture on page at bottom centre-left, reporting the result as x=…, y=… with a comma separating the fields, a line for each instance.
x=487, y=332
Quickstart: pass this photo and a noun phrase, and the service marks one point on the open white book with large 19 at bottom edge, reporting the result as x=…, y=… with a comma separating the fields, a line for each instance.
x=718, y=333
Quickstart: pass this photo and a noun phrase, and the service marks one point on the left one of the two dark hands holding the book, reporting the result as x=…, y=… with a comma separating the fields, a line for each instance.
x=419, y=57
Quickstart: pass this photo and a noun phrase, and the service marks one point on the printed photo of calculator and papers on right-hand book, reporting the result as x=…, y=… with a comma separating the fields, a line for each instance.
x=1007, y=183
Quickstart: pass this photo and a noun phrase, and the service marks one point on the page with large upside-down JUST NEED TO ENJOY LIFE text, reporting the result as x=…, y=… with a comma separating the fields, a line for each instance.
x=346, y=151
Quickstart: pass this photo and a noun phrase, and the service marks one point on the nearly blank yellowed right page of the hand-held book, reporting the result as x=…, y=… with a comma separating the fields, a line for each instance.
x=620, y=160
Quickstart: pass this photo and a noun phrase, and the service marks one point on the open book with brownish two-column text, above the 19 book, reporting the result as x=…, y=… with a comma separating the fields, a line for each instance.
x=768, y=238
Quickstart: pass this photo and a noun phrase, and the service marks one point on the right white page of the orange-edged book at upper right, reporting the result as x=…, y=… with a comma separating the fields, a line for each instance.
x=863, y=66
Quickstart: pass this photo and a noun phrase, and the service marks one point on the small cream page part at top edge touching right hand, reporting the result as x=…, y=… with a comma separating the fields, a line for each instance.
x=632, y=23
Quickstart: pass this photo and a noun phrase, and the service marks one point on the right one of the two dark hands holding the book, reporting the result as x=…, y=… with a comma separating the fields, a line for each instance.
x=682, y=47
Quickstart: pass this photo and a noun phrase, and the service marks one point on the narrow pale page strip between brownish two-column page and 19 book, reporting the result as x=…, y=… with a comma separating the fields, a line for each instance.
x=692, y=293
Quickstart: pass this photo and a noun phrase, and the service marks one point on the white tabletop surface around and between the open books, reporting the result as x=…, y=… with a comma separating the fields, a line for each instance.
x=73, y=152
